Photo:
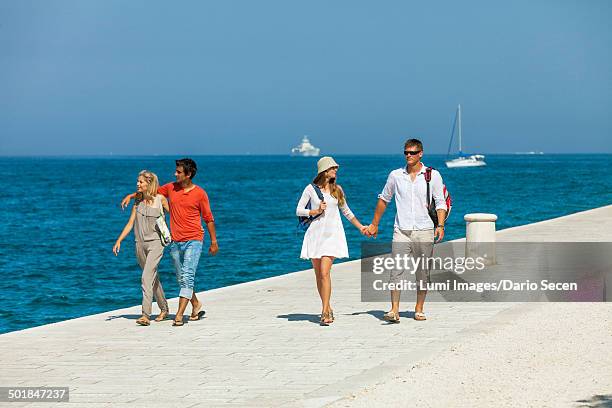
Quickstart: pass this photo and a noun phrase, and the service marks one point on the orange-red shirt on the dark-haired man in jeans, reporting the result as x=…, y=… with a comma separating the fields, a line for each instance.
x=186, y=208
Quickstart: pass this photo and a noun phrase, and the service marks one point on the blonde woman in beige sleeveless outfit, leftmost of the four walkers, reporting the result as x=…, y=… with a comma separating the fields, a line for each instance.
x=149, y=249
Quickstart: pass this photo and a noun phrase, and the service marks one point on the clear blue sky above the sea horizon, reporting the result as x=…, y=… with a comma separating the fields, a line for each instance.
x=234, y=77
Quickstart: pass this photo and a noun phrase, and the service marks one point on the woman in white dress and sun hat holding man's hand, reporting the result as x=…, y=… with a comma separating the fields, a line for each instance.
x=325, y=240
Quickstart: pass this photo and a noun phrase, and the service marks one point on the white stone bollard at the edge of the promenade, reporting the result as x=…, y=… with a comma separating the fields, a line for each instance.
x=480, y=236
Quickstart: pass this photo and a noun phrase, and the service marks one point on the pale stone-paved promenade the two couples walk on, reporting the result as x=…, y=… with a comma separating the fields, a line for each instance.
x=260, y=344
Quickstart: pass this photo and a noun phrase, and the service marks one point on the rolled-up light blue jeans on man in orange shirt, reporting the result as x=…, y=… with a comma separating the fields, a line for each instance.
x=190, y=251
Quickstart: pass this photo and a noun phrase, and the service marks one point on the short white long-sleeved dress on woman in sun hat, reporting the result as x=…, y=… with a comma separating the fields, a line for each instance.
x=325, y=236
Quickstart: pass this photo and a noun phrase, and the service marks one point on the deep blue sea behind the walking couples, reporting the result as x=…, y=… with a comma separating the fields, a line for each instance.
x=62, y=216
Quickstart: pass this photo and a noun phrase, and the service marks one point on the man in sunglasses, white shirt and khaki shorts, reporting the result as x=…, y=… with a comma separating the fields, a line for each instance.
x=413, y=232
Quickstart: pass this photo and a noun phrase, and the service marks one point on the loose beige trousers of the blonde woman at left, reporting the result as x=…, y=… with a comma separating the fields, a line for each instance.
x=149, y=253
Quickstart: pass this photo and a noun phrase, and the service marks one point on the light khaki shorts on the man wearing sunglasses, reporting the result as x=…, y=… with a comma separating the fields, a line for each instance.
x=414, y=244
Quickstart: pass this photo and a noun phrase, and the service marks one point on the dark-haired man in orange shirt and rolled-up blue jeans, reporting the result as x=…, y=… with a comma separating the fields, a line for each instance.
x=188, y=203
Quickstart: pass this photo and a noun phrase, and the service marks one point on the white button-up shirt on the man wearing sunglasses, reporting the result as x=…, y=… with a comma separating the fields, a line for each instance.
x=411, y=197
